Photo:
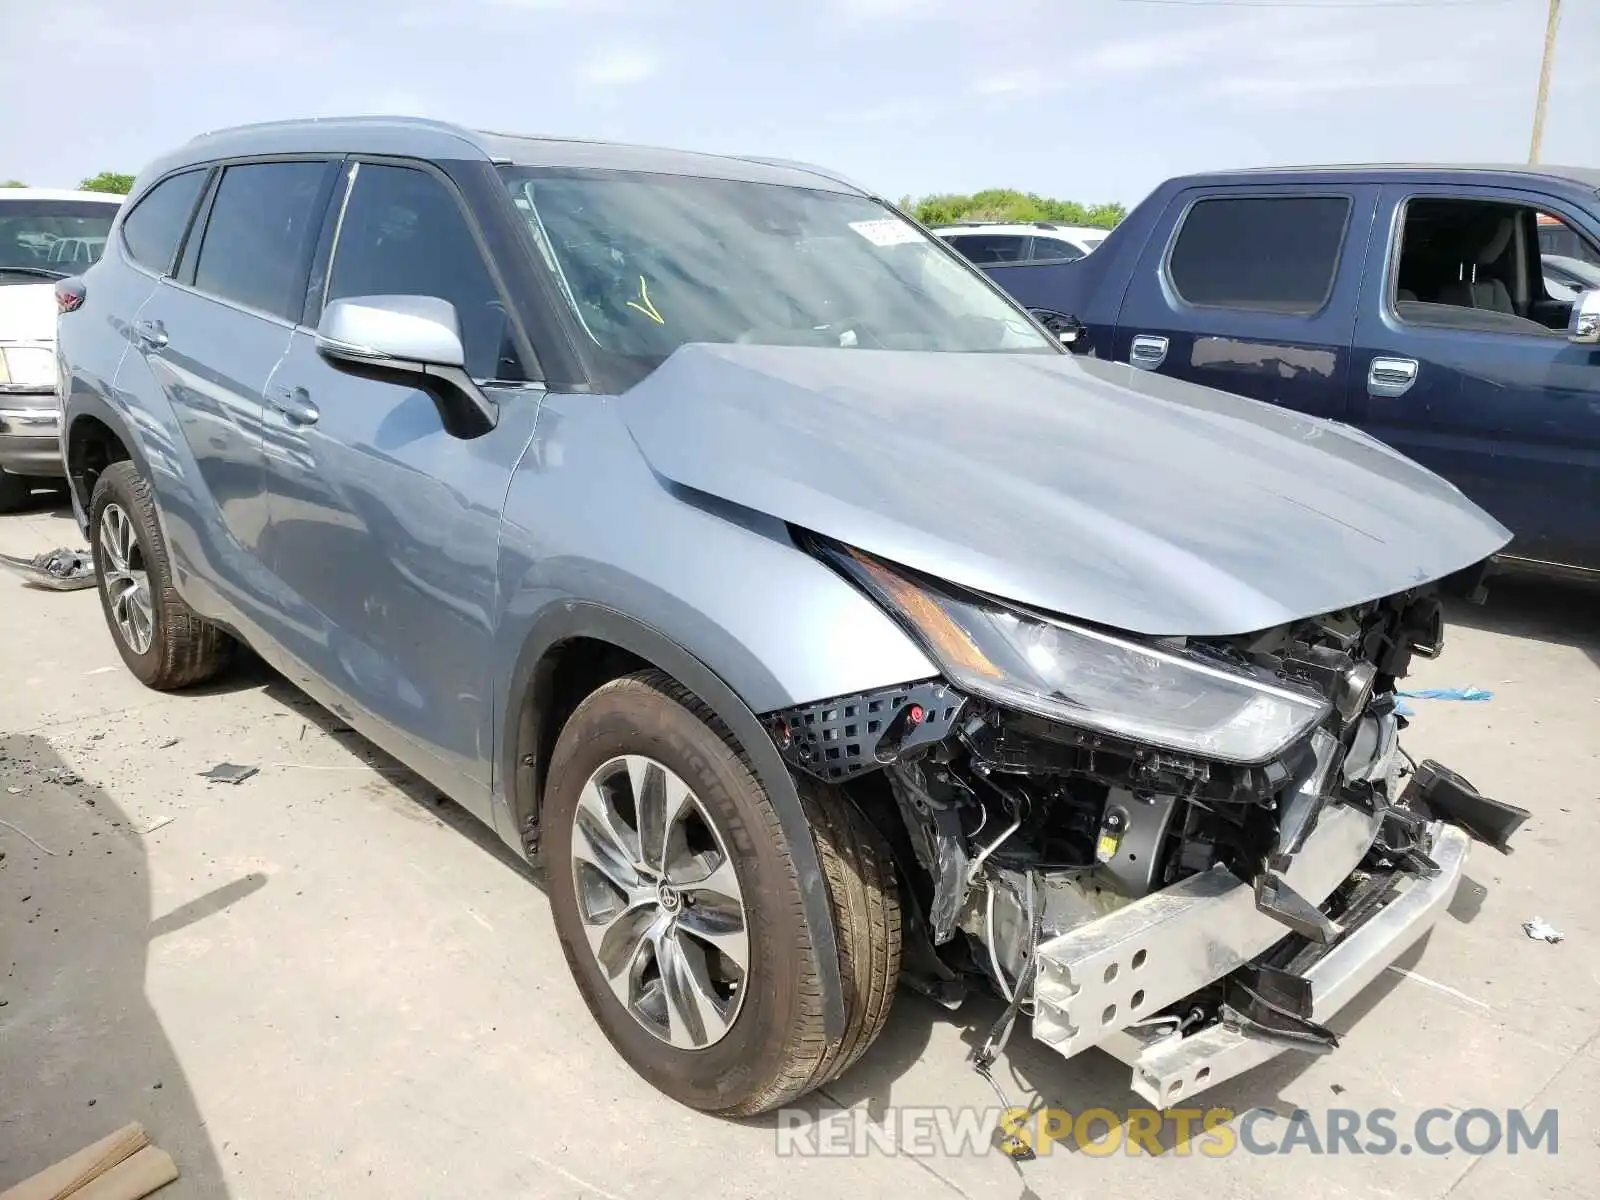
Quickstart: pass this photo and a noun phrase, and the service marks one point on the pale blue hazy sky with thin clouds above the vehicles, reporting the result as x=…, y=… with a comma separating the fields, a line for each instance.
x=1089, y=100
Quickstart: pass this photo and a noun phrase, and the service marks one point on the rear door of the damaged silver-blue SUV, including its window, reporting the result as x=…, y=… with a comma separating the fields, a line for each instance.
x=204, y=346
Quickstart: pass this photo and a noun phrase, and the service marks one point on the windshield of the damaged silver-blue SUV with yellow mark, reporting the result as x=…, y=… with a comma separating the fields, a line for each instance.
x=654, y=262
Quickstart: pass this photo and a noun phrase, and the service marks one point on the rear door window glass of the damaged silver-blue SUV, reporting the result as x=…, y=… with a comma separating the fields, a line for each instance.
x=260, y=236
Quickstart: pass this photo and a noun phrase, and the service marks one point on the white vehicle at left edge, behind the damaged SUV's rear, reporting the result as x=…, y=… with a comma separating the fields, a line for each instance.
x=44, y=236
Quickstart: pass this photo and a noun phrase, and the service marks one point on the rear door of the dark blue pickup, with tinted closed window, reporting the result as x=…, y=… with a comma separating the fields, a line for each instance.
x=1254, y=294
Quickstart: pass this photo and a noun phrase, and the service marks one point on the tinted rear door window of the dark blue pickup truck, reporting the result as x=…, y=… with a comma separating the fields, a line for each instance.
x=1260, y=254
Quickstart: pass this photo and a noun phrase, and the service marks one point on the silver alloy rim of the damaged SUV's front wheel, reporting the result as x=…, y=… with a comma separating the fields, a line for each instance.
x=660, y=902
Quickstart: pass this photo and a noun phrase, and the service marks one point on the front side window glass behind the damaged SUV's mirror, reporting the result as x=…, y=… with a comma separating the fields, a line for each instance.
x=404, y=234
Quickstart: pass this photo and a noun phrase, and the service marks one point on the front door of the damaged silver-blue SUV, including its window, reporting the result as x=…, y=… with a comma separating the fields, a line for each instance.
x=383, y=526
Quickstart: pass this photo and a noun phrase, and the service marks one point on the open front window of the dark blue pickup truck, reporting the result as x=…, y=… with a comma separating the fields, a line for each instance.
x=1481, y=265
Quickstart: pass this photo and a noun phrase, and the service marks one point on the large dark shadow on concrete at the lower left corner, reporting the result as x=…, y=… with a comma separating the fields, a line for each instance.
x=82, y=1052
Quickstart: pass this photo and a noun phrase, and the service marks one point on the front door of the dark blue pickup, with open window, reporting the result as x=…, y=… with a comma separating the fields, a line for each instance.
x=1463, y=364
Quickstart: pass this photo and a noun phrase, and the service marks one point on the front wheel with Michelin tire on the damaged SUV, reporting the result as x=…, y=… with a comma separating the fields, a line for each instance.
x=679, y=906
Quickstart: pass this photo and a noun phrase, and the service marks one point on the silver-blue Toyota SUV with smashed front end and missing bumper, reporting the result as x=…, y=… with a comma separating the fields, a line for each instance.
x=782, y=590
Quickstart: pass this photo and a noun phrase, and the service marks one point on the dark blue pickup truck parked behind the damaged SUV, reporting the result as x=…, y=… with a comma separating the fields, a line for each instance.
x=1441, y=310
